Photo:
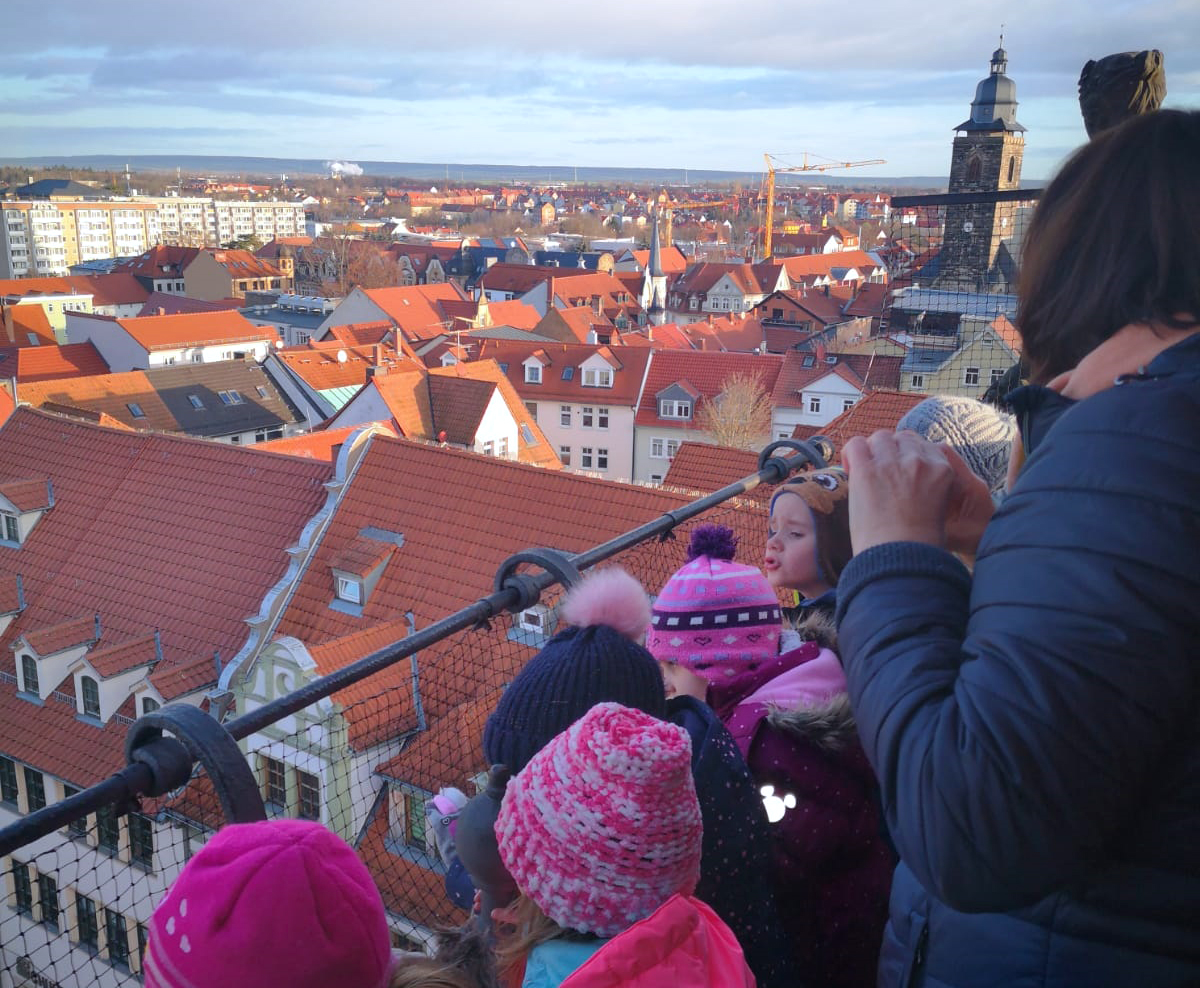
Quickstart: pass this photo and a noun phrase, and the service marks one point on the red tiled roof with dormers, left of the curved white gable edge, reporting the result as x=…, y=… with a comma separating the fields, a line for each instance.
x=141, y=524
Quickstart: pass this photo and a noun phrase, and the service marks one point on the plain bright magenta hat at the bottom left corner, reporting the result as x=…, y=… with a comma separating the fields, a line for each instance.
x=283, y=902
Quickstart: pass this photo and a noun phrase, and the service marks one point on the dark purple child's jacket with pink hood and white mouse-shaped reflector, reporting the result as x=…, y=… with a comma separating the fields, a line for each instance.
x=832, y=867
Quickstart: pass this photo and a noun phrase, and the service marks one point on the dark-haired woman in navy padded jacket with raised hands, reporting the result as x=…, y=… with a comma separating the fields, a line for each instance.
x=1036, y=727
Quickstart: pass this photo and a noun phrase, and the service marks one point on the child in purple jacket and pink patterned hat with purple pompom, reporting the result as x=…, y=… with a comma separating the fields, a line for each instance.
x=784, y=700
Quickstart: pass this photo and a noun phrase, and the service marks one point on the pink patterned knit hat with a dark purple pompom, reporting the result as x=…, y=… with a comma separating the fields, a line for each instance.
x=716, y=618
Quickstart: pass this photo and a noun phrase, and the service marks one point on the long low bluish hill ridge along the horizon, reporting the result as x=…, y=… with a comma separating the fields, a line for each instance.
x=458, y=172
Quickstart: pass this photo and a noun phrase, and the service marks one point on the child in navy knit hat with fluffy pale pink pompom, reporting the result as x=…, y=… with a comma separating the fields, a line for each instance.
x=598, y=658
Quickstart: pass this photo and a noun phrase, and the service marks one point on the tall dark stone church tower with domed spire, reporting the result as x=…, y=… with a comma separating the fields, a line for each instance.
x=987, y=159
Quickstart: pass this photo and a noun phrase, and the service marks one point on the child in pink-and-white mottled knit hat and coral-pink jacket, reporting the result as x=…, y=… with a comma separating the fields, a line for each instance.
x=602, y=831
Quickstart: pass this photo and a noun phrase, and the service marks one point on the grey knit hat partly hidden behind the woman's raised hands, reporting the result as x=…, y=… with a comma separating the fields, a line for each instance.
x=980, y=434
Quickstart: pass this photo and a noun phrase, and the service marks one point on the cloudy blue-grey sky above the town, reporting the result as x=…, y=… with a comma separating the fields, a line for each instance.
x=625, y=83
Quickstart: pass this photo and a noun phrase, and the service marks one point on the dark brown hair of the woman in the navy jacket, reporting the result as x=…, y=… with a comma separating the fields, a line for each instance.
x=1114, y=241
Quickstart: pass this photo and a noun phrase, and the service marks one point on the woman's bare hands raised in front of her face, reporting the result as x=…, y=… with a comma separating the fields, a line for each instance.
x=902, y=489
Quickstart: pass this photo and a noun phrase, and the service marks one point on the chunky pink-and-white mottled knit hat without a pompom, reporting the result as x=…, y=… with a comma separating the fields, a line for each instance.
x=603, y=825
